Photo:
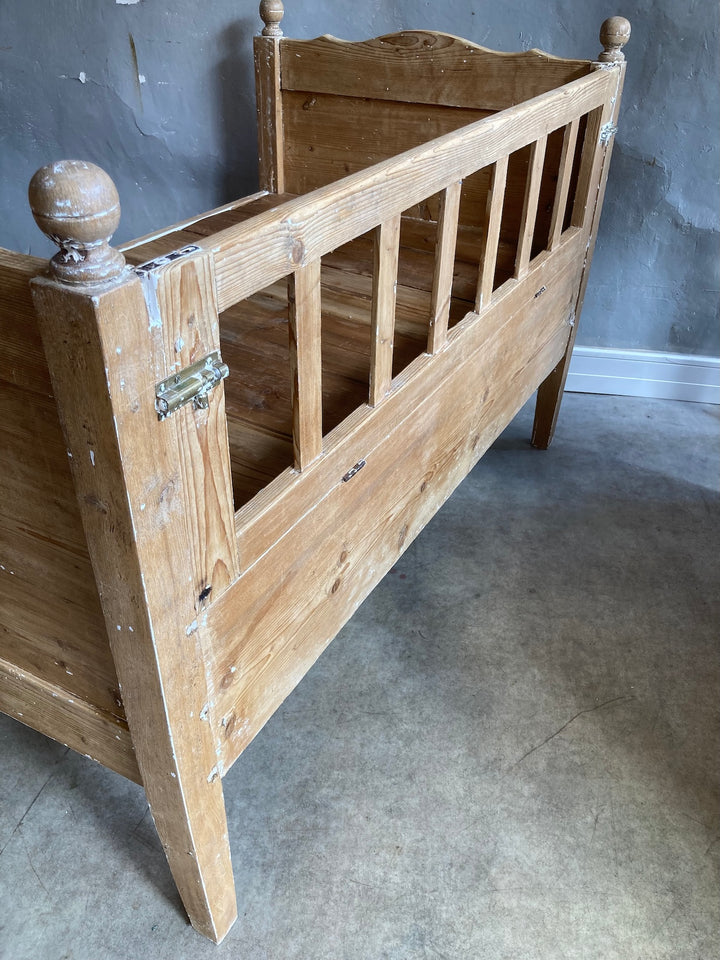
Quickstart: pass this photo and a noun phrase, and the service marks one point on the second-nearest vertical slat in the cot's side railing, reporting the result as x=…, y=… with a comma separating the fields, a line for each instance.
x=387, y=244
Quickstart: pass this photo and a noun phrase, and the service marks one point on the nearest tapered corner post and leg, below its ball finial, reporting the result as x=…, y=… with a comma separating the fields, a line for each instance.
x=105, y=356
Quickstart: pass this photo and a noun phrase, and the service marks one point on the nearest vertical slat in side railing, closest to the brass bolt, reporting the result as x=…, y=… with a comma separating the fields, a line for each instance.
x=306, y=362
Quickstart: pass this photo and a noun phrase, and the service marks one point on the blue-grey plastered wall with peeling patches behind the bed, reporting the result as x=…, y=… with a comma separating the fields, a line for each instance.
x=161, y=95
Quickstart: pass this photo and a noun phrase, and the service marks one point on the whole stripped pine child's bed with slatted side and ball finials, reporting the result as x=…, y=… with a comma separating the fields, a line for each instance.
x=178, y=548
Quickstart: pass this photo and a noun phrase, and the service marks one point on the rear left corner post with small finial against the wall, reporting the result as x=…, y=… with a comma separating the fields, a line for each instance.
x=269, y=99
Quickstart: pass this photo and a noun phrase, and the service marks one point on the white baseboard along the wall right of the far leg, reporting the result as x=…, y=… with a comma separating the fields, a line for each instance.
x=643, y=373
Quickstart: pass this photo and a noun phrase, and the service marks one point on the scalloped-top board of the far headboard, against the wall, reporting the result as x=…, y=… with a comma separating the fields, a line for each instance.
x=420, y=66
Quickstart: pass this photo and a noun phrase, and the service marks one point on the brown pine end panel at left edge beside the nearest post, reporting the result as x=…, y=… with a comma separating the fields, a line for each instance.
x=52, y=623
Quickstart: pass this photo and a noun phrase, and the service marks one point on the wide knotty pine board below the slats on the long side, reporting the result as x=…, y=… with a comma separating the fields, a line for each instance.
x=267, y=633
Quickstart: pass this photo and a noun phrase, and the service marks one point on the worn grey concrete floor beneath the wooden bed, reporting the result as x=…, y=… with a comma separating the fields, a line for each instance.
x=510, y=753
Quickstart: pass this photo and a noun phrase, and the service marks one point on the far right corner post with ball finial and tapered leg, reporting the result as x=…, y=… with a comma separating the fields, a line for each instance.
x=614, y=34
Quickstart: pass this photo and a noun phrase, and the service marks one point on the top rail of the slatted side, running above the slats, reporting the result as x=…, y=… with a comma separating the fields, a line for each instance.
x=253, y=255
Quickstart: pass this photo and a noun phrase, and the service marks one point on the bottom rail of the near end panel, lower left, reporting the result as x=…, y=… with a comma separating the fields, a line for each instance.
x=52, y=710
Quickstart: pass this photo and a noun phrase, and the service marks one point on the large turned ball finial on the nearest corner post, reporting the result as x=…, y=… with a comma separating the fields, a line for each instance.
x=77, y=206
